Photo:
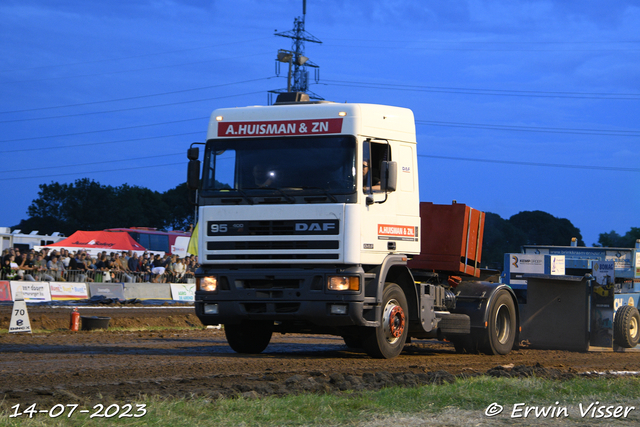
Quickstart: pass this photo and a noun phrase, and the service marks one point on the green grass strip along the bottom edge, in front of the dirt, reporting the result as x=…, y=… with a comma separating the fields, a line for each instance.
x=427, y=403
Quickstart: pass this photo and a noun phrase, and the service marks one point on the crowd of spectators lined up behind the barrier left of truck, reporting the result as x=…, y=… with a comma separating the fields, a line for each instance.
x=125, y=266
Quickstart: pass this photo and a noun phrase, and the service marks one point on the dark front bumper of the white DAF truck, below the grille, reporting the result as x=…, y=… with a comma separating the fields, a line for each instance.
x=284, y=295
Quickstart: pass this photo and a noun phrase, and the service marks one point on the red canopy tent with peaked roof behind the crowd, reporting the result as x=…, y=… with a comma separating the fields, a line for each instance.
x=94, y=242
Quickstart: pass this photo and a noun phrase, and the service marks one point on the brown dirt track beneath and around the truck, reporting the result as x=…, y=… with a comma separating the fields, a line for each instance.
x=109, y=366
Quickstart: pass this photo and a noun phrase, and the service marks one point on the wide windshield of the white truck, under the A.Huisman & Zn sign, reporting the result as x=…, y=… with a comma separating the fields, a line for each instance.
x=292, y=164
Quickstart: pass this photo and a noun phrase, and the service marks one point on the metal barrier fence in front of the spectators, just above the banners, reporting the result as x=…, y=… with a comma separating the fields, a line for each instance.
x=105, y=276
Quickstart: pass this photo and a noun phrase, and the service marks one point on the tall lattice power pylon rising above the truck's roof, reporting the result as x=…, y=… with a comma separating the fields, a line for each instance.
x=298, y=75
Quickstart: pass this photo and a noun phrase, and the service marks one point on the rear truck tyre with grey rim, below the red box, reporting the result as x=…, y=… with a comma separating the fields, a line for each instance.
x=500, y=334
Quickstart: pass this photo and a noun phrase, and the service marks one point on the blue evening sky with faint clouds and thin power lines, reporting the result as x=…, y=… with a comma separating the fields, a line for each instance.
x=520, y=105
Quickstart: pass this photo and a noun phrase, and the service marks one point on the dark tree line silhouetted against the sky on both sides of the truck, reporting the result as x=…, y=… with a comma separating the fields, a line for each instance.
x=88, y=205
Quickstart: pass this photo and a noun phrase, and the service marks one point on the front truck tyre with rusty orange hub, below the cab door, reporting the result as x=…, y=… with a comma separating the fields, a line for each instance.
x=387, y=340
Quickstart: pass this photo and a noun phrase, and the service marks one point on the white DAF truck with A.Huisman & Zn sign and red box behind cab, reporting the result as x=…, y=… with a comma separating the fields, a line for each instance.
x=310, y=222
